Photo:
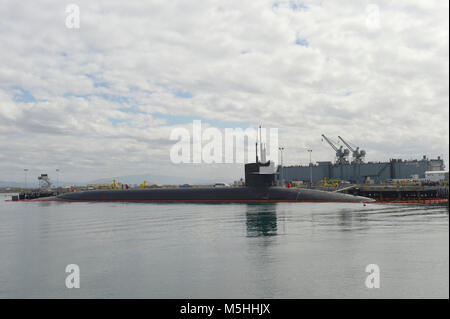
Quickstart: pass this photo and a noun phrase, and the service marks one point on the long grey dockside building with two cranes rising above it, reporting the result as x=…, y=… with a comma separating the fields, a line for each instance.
x=357, y=170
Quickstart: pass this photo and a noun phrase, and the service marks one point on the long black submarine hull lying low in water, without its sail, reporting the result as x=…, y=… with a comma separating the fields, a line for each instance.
x=208, y=194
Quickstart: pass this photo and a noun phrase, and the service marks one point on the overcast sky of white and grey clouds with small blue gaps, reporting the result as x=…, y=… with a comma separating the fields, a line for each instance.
x=101, y=100
